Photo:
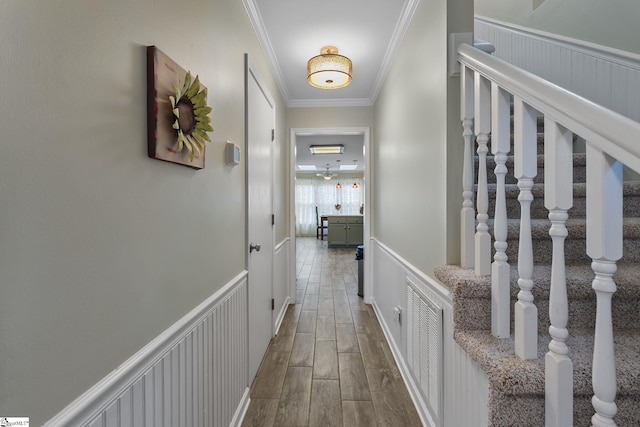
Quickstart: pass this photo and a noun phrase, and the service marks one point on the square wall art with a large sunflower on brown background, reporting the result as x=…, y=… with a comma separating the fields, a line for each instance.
x=177, y=111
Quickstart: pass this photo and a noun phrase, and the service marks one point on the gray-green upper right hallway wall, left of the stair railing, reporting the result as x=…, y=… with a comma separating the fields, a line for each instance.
x=409, y=146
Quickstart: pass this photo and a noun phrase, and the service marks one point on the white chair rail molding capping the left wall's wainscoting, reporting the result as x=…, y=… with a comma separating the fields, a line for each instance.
x=103, y=393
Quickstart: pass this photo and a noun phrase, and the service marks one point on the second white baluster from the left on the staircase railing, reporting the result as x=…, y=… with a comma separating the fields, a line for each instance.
x=482, y=108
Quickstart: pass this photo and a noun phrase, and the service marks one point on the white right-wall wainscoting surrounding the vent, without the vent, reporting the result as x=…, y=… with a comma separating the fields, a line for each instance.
x=463, y=398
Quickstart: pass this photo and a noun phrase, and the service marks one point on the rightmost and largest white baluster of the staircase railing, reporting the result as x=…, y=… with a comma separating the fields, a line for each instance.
x=604, y=246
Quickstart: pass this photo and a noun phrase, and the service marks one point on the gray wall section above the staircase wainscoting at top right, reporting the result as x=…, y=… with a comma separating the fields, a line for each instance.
x=608, y=23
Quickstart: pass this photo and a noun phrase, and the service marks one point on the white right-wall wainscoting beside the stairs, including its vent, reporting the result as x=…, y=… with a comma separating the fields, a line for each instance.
x=447, y=387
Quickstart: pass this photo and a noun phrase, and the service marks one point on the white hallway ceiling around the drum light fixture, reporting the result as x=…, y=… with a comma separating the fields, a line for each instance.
x=366, y=31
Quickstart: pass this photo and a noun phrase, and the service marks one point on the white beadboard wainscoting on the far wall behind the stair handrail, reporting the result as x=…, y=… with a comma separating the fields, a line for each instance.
x=606, y=76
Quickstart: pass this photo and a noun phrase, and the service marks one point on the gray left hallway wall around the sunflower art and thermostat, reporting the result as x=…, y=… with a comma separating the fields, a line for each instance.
x=102, y=248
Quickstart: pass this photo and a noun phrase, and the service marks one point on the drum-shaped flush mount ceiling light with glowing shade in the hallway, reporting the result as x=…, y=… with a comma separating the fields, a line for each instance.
x=329, y=70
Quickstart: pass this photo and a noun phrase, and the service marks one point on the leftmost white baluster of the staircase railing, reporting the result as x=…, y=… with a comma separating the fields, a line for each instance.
x=467, y=214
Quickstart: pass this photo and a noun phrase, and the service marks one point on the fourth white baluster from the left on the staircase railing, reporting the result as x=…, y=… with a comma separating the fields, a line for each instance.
x=525, y=169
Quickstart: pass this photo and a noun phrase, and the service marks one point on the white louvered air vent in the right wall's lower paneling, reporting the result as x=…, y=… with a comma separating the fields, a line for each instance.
x=424, y=346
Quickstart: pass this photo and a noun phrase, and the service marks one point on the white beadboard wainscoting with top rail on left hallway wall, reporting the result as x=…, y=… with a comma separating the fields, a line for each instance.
x=194, y=374
